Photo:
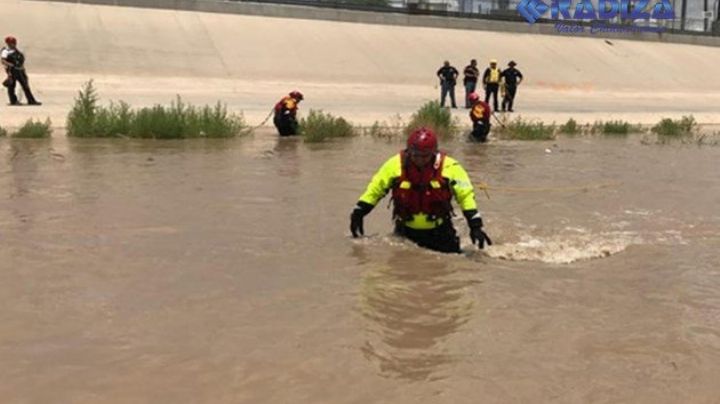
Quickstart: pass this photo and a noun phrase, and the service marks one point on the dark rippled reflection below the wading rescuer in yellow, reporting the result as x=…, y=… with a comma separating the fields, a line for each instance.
x=412, y=308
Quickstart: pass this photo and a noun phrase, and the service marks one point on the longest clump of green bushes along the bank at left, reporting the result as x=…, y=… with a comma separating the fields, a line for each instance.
x=178, y=121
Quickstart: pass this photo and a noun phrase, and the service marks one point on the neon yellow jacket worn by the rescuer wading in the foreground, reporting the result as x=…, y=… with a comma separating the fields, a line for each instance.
x=458, y=179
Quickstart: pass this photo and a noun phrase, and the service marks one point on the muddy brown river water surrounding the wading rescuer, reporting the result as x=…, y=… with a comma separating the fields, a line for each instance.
x=223, y=272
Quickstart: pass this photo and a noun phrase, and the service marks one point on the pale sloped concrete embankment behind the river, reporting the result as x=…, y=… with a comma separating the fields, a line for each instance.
x=362, y=71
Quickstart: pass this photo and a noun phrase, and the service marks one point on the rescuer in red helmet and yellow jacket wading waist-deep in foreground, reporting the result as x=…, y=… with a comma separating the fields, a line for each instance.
x=423, y=182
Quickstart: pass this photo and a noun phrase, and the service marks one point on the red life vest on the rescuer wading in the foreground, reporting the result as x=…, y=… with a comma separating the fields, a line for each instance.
x=423, y=190
